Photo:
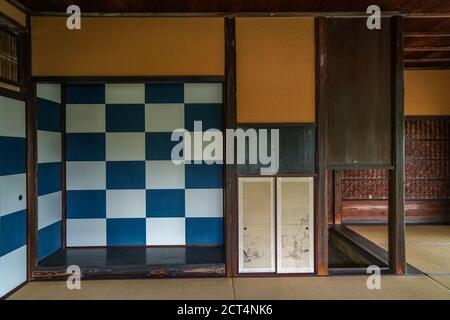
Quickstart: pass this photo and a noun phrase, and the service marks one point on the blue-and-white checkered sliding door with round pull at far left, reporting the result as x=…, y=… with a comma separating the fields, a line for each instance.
x=13, y=249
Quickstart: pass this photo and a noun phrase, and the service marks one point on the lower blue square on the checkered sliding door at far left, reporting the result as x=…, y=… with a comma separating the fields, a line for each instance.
x=13, y=228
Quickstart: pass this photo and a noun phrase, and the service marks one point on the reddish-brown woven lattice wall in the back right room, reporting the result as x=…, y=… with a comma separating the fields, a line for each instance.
x=427, y=166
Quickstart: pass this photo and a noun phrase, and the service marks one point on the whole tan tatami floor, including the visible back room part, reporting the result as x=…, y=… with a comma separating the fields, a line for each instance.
x=428, y=249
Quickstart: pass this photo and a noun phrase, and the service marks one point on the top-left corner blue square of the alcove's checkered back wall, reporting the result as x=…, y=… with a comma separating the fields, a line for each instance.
x=85, y=94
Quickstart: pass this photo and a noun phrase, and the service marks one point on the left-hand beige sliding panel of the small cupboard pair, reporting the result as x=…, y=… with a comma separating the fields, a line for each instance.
x=256, y=225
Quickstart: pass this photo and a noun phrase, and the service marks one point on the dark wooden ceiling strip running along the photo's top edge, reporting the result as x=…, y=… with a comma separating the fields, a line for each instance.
x=437, y=6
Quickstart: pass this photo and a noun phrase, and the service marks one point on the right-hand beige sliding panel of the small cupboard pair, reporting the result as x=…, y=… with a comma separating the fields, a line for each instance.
x=295, y=212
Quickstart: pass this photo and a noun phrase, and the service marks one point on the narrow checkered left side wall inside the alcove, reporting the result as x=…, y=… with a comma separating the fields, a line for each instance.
x=49, y=168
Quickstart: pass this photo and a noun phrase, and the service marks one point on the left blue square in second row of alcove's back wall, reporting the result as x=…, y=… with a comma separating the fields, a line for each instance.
x=125, y=118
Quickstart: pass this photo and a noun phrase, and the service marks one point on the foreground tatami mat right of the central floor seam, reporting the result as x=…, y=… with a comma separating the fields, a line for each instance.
x=350, y=287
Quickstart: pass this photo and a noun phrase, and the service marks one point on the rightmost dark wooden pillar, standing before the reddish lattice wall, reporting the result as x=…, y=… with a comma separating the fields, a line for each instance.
x=396, y=219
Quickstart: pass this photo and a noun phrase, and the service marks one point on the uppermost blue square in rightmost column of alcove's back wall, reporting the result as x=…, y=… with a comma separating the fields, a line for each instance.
x=209, y=114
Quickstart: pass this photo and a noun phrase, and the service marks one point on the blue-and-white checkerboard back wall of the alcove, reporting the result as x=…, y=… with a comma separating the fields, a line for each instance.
x=122, y=187
